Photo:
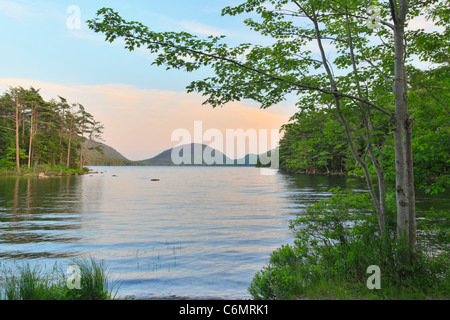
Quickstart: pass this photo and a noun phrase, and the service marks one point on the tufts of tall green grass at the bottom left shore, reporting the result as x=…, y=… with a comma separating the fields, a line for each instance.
x=31, y=283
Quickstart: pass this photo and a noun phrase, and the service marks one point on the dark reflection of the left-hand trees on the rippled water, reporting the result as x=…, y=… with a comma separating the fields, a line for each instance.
x=34, y=211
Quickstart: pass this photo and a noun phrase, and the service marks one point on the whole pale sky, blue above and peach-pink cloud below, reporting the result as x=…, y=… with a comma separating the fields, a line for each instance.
x=140, y=105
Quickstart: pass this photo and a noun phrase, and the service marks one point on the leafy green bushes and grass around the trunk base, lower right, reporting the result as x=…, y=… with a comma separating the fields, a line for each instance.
x=336, y=241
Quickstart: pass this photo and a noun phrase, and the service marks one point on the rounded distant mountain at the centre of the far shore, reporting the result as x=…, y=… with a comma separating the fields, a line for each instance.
x=197, y=154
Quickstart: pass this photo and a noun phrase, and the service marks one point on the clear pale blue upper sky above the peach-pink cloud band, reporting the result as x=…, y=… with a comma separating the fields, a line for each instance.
x=38, y=44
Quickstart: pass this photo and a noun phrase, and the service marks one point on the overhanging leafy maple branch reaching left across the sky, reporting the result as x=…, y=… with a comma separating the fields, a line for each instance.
x=266, y=74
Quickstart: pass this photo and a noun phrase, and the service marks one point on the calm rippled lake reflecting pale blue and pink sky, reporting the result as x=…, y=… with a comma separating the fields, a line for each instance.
x=198, y=233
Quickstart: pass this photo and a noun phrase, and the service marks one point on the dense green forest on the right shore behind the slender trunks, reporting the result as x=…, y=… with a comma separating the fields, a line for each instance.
x=314, y=140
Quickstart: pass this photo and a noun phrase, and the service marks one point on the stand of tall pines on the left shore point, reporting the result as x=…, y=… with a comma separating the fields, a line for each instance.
x=36, y=132
